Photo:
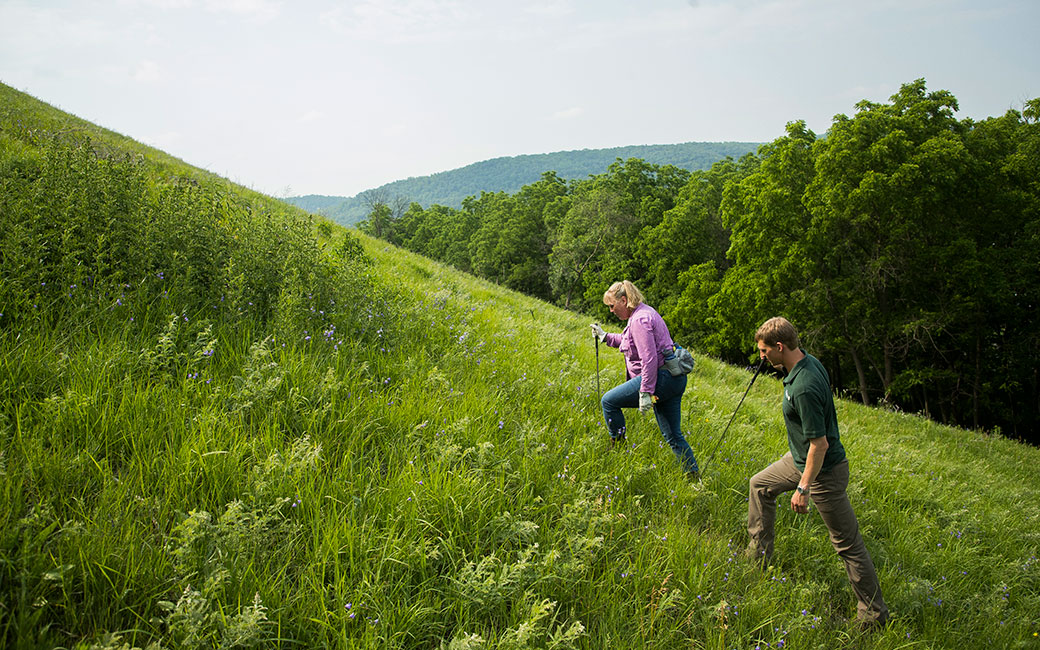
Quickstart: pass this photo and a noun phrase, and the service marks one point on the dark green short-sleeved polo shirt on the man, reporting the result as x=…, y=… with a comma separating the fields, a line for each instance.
x=809, y=412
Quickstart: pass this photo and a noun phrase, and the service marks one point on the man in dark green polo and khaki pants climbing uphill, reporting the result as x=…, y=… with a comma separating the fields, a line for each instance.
x=816, y=469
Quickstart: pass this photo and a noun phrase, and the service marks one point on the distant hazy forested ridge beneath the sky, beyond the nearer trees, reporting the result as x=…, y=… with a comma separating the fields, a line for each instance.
x=510, y=174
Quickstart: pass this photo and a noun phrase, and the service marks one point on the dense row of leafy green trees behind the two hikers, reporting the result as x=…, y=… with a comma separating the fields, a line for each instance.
x=905, y=244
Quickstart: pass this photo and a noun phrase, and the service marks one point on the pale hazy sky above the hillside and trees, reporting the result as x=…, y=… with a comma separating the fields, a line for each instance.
x=298, y=97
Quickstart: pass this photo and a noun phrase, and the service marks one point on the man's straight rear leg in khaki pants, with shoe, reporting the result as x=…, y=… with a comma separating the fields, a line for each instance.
x=829, y=493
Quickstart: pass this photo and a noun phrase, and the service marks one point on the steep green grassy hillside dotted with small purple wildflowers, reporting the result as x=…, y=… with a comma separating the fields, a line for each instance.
x=352, y=448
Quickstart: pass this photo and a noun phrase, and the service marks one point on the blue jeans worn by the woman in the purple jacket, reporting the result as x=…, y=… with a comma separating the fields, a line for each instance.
x=668, y=412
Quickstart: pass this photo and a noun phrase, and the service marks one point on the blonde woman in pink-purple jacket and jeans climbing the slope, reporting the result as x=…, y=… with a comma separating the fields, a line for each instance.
x=646, y=345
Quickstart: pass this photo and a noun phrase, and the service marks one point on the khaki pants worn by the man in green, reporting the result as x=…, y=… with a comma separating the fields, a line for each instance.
x=828, y=493
